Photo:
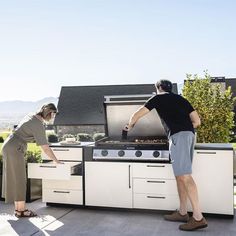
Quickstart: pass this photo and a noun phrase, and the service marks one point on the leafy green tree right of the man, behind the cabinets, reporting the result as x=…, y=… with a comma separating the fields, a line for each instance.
x=214, y=106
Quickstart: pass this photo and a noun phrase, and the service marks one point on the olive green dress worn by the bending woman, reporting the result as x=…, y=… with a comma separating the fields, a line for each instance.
x=13, y=150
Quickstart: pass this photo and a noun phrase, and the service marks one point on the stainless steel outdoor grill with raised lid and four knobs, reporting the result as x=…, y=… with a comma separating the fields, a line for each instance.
x=146, y=141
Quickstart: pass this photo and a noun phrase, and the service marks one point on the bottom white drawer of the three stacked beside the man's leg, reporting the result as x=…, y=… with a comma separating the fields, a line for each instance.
x=156, y=202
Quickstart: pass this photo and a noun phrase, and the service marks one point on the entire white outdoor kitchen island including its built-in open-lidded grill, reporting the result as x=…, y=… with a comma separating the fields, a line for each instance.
x=134, y=171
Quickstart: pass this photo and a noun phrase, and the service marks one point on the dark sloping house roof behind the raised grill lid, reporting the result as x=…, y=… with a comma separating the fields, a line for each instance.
x=83, y=105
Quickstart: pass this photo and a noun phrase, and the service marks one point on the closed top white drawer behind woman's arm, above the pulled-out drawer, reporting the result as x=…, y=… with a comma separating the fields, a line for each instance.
x=66, y=154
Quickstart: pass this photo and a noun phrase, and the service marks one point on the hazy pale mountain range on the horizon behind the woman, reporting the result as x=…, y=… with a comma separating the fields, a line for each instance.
x=17, y=106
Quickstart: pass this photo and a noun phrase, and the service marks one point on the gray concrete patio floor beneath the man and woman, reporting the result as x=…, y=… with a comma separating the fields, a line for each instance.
x=70, y=221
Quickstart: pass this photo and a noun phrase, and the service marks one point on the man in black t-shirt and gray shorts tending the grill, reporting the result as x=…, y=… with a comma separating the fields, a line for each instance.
x=180, y=119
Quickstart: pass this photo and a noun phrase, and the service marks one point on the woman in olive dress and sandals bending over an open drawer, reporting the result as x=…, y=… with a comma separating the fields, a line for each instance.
x=30, y=129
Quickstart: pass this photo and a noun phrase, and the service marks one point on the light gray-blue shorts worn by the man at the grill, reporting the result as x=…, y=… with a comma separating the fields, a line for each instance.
x=181, y=146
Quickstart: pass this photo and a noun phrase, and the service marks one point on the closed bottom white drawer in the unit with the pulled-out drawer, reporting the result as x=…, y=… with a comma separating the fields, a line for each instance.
x=63, y=196
